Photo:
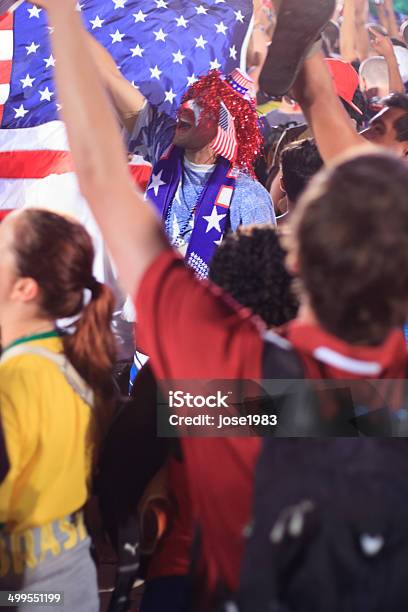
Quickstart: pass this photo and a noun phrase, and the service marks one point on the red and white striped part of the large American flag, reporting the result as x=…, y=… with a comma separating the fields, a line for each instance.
x=36, y=167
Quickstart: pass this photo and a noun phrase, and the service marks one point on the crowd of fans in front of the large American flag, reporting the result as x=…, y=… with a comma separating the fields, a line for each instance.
x=269, y=252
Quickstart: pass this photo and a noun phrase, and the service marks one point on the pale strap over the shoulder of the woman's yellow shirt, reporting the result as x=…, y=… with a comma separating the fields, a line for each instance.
x=72, y=377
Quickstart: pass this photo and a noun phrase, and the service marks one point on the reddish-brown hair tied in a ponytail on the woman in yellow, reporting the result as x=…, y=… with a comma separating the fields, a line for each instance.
x=58, y=254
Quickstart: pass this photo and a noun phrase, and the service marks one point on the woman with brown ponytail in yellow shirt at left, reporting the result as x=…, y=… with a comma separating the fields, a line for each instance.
x=56, y=395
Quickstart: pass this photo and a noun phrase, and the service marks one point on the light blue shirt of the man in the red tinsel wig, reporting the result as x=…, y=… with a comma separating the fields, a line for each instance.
x=251, y=202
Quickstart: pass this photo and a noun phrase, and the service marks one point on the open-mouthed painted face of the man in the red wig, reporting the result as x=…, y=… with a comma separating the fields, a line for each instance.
x=195, y=129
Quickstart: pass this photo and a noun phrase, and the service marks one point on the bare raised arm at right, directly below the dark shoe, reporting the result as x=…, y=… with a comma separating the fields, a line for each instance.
x=331, y=126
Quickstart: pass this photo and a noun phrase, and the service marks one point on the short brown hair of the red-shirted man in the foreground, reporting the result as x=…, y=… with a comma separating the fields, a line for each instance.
x=351, y=235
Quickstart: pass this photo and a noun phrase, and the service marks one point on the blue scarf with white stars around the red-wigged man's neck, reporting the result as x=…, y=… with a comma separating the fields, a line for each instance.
x=211, y=209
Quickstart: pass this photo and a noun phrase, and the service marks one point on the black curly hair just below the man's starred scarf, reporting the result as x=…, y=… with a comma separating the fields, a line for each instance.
x=249, y=265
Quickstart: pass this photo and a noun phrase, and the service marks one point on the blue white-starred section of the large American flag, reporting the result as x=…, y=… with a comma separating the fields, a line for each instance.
x=159, y=45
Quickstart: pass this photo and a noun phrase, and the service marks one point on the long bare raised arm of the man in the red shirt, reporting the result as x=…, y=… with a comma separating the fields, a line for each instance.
x=130, y=226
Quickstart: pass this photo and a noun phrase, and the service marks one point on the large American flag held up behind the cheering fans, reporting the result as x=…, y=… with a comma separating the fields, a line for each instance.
x=160, y=46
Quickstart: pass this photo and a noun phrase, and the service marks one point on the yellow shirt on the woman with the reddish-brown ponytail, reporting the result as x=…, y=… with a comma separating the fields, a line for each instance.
x=49, y=439
